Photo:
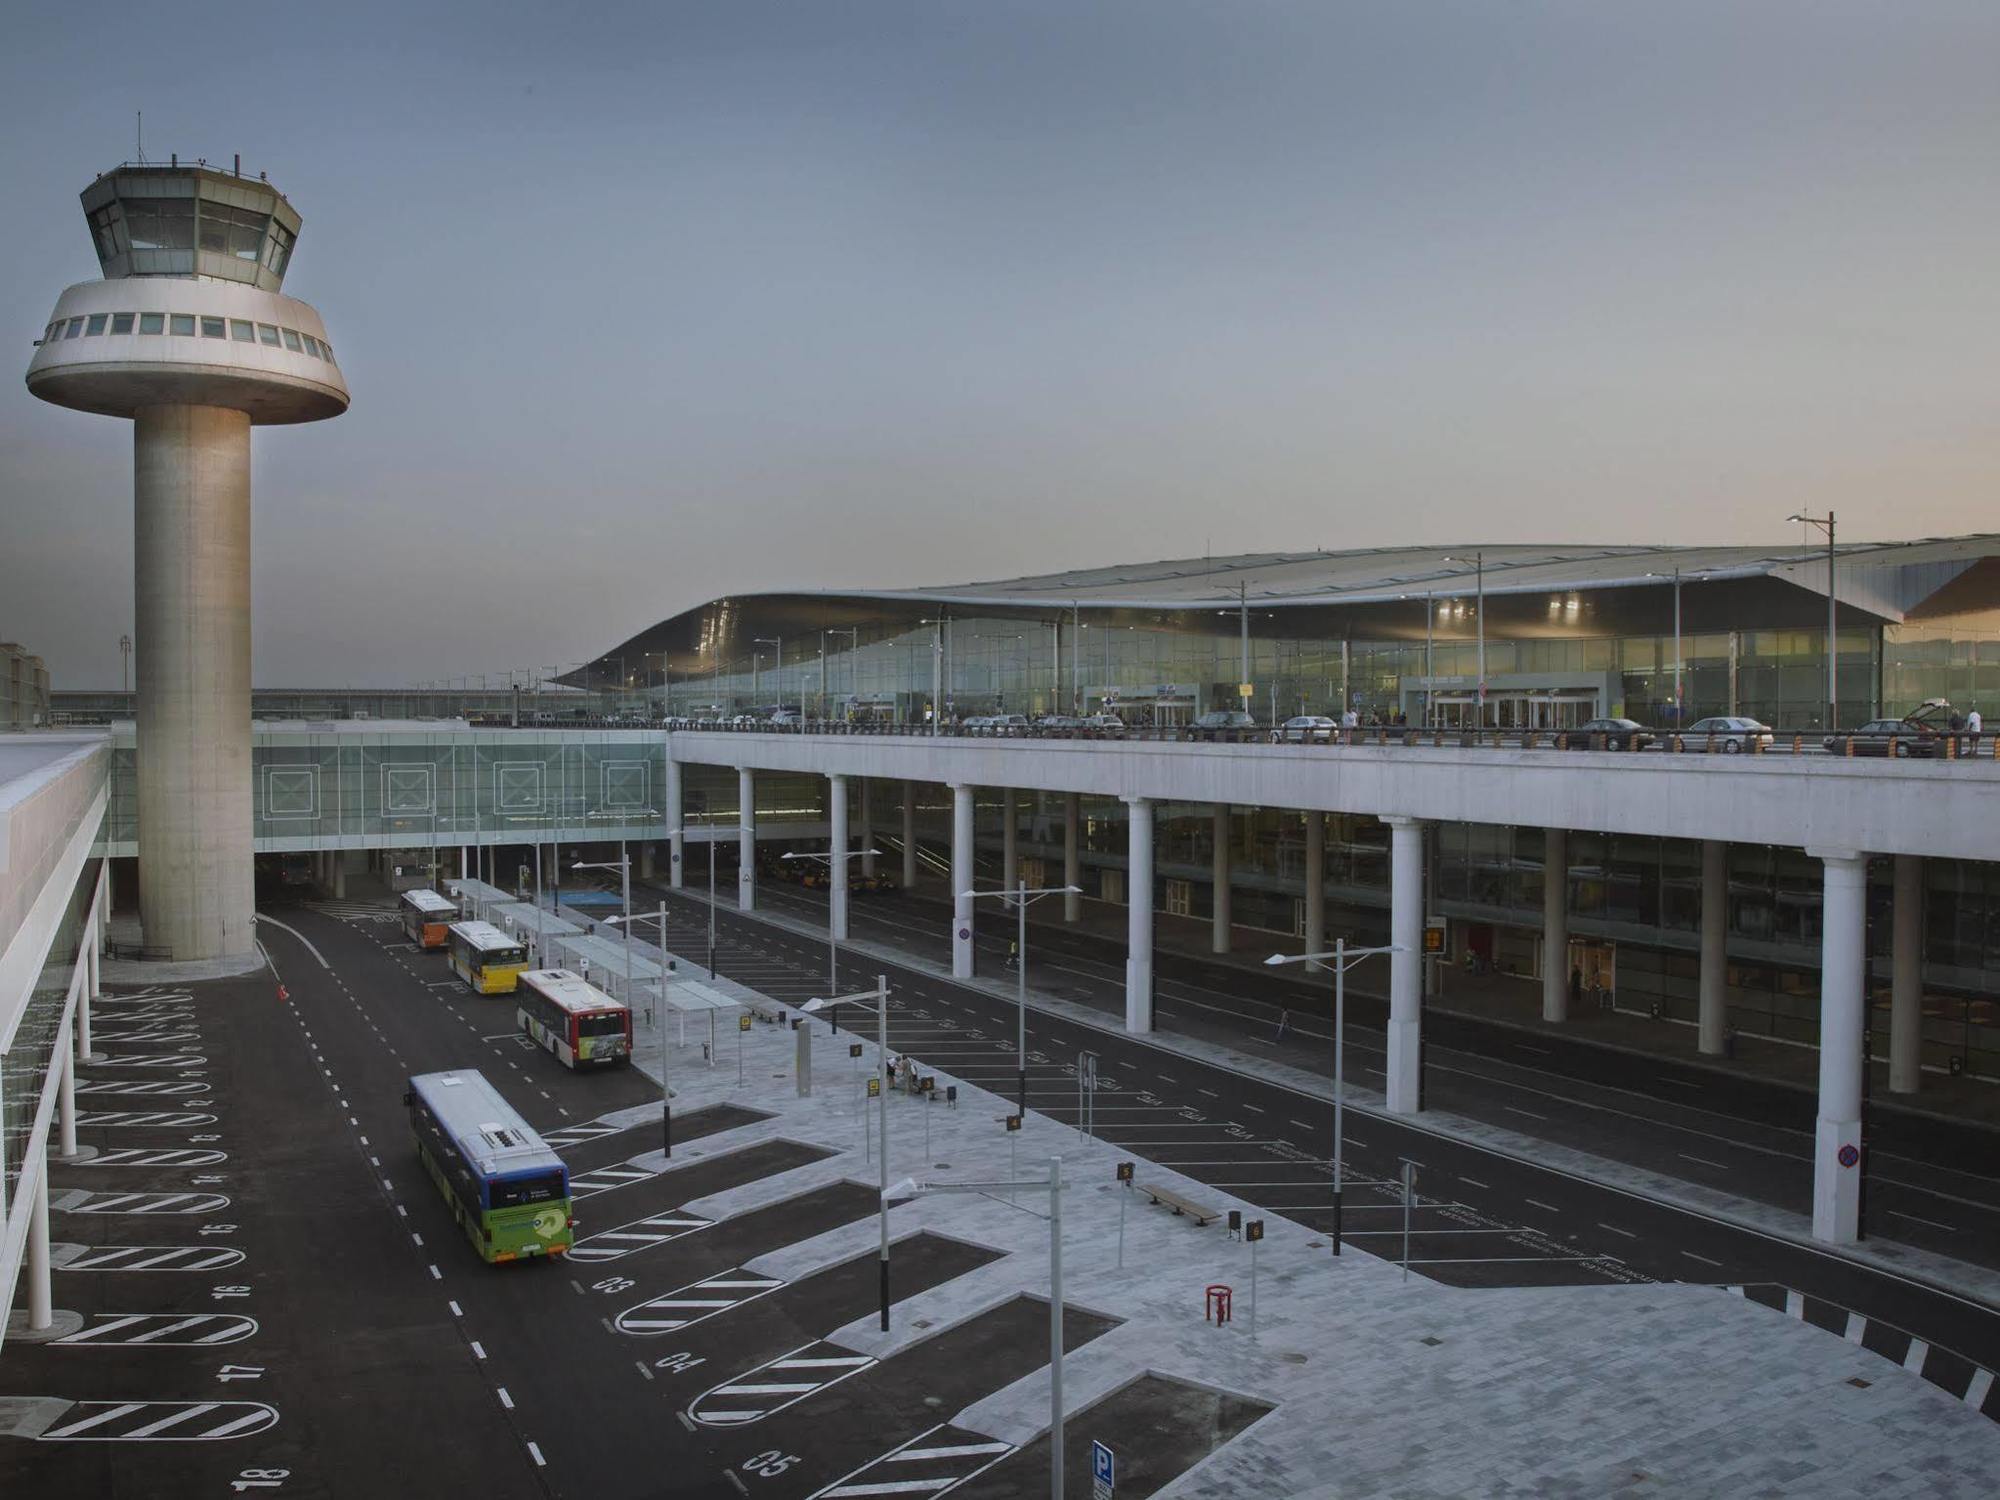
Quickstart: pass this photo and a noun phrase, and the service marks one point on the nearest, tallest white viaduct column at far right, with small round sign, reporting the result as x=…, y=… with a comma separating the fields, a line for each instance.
x=1837, y=1187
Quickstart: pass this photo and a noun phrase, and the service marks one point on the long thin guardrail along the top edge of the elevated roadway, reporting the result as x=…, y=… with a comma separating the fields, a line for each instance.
x=1897, y=747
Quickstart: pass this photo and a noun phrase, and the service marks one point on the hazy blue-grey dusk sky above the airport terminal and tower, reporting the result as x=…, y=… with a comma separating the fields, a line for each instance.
x=643, y=305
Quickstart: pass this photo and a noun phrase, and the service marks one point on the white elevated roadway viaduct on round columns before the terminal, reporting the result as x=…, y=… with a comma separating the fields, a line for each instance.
x=1837, y=809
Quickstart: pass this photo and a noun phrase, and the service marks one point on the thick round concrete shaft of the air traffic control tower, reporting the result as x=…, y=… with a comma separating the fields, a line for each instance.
x=193, y=679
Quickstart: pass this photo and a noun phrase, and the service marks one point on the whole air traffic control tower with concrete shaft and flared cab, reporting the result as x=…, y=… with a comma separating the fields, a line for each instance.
x=191, y=339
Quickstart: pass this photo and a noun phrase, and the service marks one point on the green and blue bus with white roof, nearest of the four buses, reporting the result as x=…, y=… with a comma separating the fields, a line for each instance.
x=507, y=1189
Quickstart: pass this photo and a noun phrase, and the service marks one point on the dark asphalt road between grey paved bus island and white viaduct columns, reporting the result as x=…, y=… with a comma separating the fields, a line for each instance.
x=1485, y=1219
